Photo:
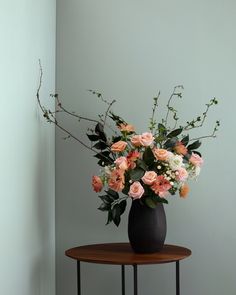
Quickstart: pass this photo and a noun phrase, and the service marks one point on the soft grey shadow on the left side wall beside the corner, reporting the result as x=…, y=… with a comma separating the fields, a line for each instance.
x=42, y=274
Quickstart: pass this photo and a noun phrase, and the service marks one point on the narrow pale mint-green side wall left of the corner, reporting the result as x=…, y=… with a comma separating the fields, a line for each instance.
x=27, y=226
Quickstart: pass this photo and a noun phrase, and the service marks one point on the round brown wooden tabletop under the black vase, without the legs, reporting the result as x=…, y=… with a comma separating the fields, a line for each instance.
x=122, y=254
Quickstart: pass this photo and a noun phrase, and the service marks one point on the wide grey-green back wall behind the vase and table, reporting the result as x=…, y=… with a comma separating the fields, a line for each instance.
x=129, y=50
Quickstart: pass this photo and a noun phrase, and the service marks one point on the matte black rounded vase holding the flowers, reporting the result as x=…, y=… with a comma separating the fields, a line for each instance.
x=146, y=227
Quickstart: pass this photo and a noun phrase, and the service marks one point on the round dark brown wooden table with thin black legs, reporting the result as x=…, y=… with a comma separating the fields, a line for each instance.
x=122, y=254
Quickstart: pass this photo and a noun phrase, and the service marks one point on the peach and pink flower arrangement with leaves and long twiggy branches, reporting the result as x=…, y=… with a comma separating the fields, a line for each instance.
x=148, y=166
